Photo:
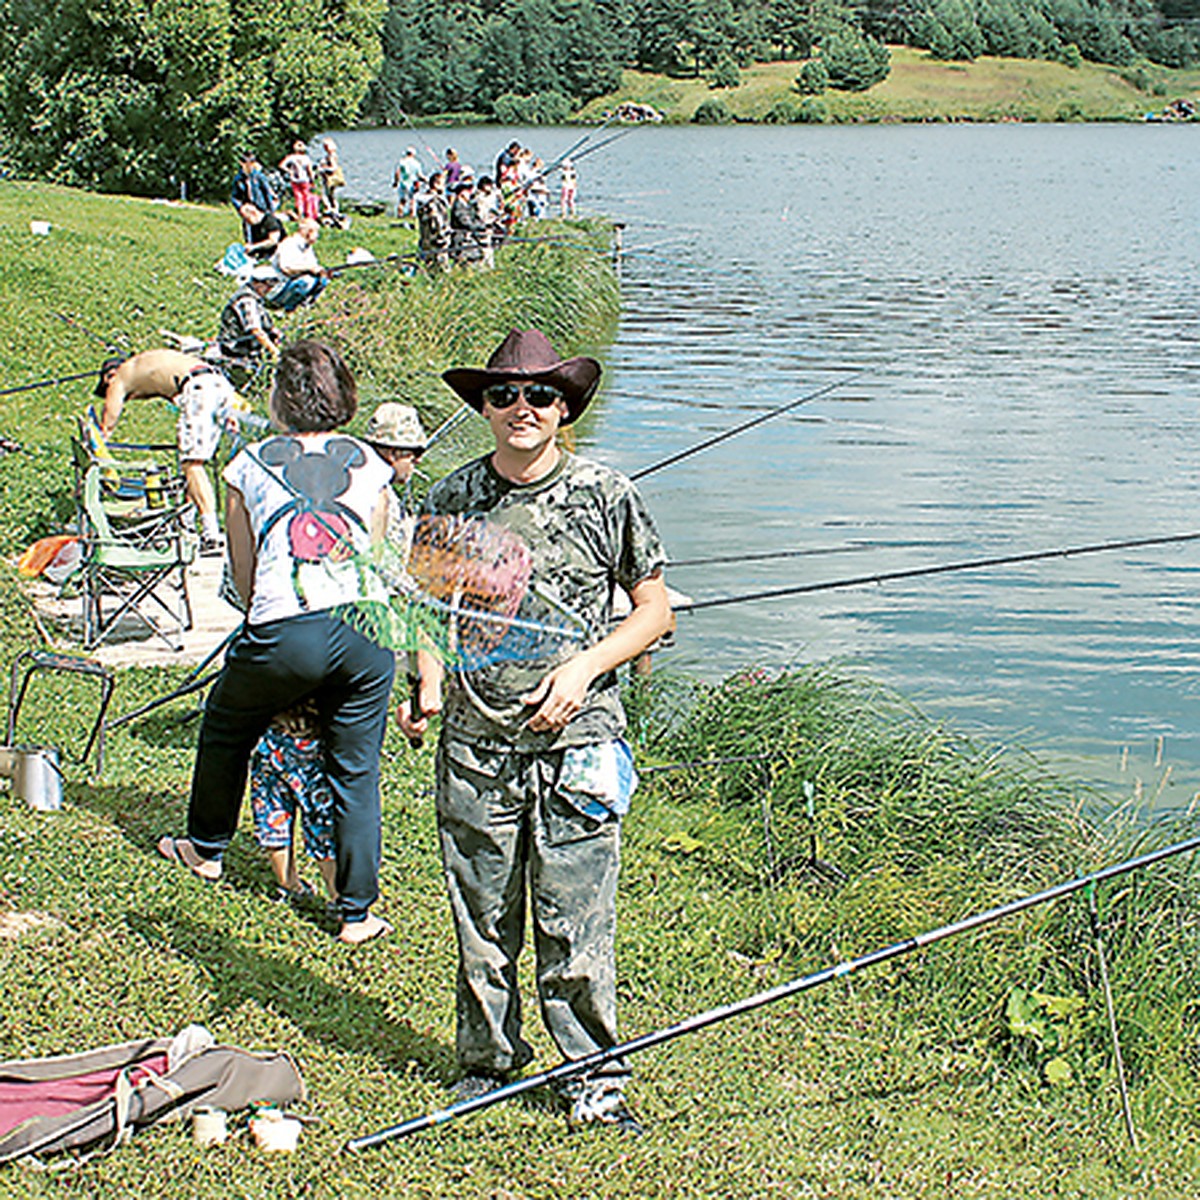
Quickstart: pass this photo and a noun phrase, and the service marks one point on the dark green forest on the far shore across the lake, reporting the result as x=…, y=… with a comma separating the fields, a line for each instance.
x=541, y=59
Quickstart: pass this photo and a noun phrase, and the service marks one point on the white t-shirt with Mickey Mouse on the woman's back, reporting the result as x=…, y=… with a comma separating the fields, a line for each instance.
x=310, y=499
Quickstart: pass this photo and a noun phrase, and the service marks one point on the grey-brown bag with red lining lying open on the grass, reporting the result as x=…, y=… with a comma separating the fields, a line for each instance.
x=98, y=1100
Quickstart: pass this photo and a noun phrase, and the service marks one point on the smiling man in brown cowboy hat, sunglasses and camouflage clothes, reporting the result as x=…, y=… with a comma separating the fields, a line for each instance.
x=532, y=771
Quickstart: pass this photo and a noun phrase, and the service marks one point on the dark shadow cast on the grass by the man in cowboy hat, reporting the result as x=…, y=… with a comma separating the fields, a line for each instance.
x=339, y=1018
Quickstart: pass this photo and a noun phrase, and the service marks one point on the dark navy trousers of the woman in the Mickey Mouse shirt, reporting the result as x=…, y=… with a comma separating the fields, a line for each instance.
x=268, y=669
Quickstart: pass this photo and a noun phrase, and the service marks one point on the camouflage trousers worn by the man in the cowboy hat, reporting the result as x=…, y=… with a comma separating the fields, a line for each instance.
x=506, y=831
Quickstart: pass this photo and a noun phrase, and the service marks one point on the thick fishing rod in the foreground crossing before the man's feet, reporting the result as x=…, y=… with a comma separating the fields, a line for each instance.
x=760, y=1000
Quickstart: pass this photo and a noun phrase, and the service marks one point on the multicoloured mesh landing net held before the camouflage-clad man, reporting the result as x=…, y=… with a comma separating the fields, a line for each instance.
x=464, y=593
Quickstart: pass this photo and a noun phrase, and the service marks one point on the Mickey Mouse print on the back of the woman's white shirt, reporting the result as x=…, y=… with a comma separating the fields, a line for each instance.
x=320, y=525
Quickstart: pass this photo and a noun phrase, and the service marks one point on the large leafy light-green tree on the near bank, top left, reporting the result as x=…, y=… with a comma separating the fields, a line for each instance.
x=153, y=98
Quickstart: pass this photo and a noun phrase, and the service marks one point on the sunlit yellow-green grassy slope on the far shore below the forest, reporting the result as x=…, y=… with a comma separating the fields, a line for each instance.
x=921, y=88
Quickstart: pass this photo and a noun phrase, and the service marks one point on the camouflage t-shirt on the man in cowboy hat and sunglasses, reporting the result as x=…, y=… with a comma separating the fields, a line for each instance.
x=589, y=532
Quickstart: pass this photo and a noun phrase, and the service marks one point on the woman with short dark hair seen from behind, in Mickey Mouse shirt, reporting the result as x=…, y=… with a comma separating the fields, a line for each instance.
x=302, y=507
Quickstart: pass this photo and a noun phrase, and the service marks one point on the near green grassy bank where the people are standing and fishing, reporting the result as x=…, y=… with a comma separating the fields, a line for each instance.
x=979, y=1067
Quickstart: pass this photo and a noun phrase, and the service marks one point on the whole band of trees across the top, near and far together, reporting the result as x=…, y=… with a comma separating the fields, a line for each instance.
x=154, y=97
